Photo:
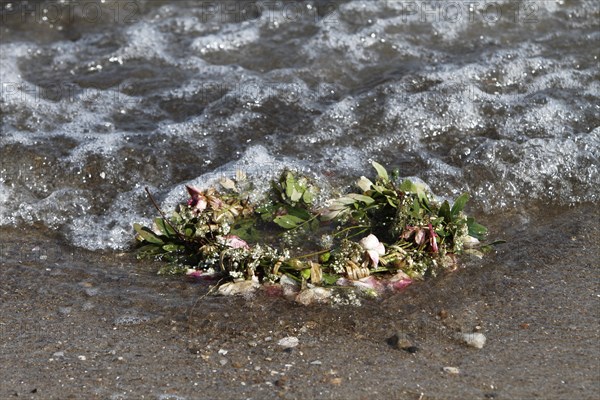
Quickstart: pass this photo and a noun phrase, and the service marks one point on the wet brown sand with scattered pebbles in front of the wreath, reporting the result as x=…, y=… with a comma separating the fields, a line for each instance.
x=76, y=324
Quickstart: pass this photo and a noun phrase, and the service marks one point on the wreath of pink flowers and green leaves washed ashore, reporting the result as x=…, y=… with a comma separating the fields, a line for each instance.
x=381, y=237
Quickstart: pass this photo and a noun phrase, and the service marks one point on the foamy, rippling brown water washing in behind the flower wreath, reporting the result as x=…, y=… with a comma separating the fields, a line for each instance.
x=100, y=99
